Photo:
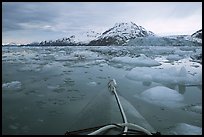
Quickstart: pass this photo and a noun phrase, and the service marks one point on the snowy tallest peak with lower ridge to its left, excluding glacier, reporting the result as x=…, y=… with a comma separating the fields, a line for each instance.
x=119, y=34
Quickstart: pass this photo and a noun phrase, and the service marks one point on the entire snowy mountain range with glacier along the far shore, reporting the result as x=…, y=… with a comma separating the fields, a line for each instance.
x=124, y=34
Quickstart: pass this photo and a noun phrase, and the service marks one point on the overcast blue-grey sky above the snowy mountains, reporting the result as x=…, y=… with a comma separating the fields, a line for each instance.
x=25, y=22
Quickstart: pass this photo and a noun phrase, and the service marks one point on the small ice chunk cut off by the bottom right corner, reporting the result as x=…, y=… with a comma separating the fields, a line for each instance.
x=185, y=129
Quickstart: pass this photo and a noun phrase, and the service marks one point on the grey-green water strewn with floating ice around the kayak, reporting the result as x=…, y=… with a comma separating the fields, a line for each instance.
x=46, y=89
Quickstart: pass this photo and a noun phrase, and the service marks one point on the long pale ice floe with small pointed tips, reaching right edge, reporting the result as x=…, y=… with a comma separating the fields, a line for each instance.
x=165, y=75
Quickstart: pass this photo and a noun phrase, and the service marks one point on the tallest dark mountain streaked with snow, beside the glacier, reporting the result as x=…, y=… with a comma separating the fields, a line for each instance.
x=120, y=34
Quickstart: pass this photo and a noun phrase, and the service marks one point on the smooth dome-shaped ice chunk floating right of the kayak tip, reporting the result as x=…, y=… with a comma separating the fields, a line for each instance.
x=162, y=96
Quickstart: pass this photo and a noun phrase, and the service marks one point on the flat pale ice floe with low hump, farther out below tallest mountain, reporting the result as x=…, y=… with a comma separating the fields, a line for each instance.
x=142, y=60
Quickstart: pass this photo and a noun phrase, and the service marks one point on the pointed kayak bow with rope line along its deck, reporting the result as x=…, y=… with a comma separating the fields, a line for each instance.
x=102, y=116
